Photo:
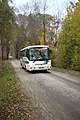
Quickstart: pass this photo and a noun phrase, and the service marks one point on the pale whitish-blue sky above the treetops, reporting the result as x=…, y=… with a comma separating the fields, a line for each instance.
x=54, y=6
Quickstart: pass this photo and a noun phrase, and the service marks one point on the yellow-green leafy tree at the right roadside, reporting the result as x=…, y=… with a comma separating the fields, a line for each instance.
x=69, y=40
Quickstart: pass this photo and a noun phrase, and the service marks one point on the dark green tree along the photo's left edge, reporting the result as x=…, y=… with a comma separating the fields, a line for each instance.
x=6, y=25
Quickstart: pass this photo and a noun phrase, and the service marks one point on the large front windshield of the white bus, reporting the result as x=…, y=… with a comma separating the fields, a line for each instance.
x=39, y=53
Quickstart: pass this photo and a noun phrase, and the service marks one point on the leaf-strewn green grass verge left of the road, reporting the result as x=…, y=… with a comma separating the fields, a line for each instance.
x=13, y=103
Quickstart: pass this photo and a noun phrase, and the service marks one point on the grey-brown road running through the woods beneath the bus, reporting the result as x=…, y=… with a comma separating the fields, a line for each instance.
x=55, y=93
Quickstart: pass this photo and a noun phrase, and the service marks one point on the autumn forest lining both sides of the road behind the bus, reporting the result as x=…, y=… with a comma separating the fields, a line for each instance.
x=33, y=27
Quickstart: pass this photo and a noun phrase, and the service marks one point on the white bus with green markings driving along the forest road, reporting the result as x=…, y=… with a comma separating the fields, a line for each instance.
x=35, y=57
